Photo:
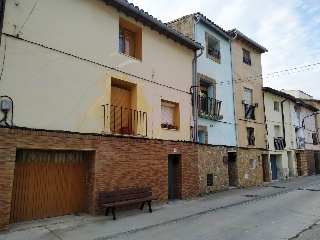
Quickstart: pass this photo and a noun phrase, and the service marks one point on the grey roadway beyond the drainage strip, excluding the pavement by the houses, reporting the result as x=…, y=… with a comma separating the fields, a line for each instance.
x=288, y=215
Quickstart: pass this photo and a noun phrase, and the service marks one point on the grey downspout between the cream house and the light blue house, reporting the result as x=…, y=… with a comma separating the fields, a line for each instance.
x=195, y=87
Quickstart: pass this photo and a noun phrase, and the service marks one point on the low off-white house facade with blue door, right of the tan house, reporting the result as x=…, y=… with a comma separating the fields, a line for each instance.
x=281, y=134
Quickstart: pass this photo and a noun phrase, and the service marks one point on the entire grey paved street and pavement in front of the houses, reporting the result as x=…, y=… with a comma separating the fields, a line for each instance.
x=279, y=210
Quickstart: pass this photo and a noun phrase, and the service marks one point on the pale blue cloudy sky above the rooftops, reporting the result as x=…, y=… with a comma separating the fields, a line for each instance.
x=289, y=29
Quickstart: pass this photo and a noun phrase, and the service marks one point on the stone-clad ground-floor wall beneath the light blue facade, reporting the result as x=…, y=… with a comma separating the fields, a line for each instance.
x=213, y=160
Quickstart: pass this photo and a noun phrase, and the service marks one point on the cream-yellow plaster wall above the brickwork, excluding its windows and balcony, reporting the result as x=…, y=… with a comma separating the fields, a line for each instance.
x=53, y=90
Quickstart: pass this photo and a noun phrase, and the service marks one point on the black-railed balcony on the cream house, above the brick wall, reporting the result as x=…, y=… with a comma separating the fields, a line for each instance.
x=124, y=121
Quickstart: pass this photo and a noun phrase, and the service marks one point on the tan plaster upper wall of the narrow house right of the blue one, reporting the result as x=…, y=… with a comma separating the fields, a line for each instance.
x=242, y=71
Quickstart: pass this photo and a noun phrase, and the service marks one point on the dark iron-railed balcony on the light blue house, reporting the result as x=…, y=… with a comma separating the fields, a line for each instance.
x=209, y=108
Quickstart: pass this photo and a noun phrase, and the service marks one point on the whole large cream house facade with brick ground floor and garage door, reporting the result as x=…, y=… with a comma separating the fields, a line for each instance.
x=85, y=100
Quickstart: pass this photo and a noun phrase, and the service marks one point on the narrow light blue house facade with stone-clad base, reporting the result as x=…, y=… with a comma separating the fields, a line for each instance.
x=215, y=100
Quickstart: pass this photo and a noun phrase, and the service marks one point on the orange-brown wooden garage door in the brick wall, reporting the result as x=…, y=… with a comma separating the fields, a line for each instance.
x=48, y=184
